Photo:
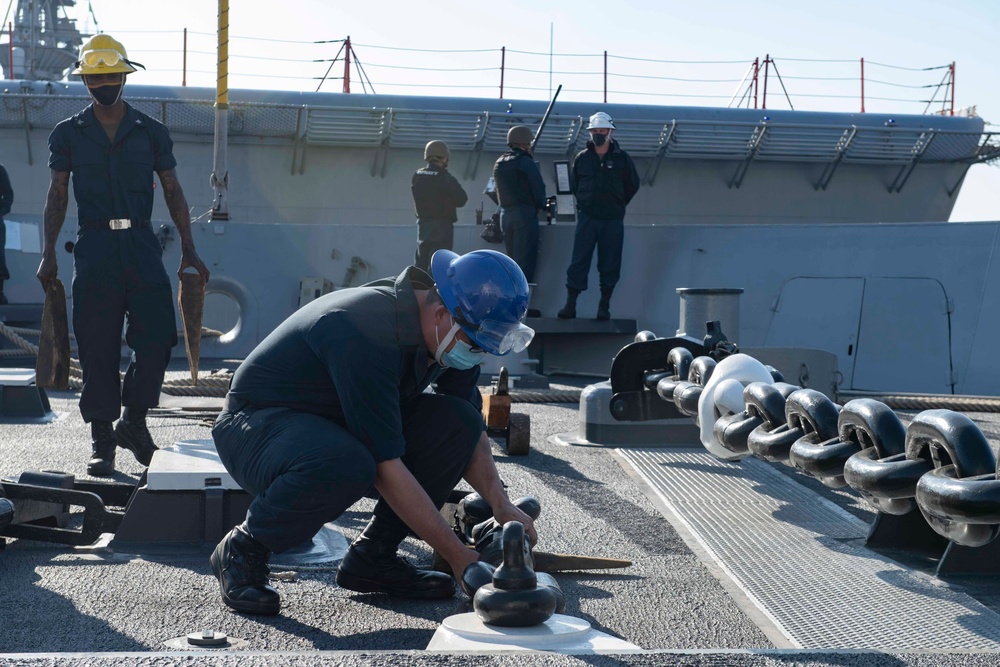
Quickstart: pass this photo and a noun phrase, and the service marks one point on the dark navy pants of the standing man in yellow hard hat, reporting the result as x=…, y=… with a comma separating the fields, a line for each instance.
x=118, y=279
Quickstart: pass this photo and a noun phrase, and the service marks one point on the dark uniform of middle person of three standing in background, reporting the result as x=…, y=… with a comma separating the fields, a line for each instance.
x=521, y=192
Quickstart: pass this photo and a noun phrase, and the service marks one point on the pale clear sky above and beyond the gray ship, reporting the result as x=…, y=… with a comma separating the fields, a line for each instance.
x=658, y=52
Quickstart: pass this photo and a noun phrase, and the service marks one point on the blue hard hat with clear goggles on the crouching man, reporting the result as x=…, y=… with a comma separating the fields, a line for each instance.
x=487, y=294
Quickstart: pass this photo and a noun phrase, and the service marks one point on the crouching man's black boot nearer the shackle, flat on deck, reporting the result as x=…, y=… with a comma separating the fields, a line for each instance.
x=372, y=566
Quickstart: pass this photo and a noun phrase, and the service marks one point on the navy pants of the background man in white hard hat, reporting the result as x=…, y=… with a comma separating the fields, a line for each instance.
x=608, y=236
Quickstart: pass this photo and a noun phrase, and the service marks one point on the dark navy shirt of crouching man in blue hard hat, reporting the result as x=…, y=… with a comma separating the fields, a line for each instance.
x=354, y=356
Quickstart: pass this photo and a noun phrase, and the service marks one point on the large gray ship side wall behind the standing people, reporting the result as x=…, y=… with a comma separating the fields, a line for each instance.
x=833, y=224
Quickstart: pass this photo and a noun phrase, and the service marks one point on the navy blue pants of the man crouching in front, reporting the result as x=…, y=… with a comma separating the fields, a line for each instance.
x=305, y=470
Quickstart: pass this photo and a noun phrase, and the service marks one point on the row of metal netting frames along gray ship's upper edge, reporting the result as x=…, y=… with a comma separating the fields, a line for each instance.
x=479, y=132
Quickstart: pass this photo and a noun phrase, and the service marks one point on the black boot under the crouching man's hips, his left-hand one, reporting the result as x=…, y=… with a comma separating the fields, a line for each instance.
x=240, y=564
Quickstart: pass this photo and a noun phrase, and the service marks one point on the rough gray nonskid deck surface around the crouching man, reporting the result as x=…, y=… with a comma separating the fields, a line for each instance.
x=66, y=607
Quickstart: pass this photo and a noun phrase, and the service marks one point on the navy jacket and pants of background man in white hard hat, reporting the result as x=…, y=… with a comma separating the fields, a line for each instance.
x=603, y=187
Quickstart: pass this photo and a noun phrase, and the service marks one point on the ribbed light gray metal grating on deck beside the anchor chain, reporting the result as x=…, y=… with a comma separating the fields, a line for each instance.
x=782, y=544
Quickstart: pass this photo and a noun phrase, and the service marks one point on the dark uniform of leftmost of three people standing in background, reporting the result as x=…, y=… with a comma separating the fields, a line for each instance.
x=436, y=196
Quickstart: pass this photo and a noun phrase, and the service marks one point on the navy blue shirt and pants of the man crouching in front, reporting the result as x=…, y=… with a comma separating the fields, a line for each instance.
x=335, y=389
